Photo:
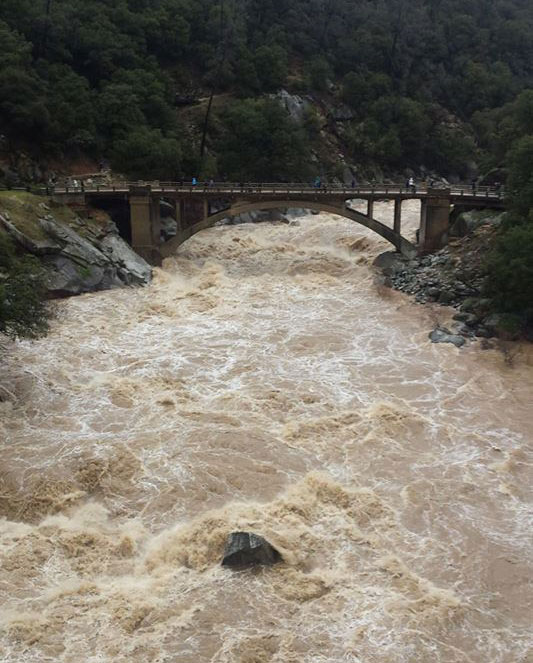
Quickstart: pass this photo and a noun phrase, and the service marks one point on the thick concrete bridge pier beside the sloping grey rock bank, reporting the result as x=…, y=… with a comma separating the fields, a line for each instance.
x=145, y=221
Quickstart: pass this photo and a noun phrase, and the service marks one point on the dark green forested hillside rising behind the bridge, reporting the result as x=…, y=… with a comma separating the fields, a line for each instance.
x=415, y=84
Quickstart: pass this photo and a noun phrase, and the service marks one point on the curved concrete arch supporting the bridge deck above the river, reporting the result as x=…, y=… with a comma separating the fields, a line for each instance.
x=393, y=236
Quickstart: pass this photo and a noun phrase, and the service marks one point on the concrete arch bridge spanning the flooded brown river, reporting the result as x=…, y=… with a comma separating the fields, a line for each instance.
x=201, y=206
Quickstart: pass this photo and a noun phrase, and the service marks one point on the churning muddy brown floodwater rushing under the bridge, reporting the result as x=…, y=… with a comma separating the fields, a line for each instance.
x=267, y=382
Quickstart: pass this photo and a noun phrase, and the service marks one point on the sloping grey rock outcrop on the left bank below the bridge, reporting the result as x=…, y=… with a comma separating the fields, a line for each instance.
x=80, y=255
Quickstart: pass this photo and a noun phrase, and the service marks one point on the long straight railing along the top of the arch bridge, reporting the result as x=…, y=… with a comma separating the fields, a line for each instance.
x=275, y=188
